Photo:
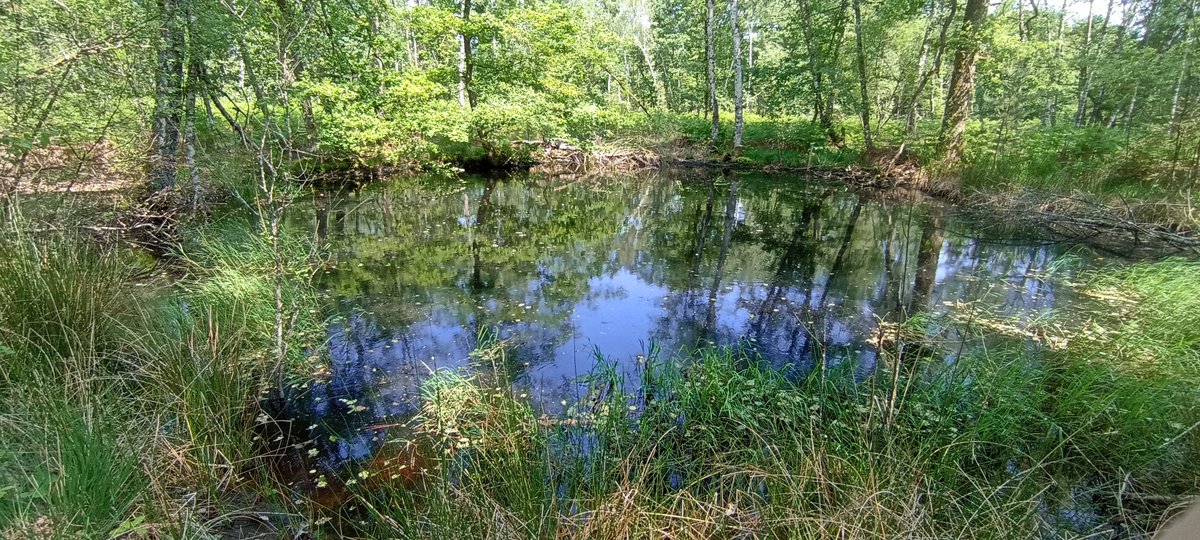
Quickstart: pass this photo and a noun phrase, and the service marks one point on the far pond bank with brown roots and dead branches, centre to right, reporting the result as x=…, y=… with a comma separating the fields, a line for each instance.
x=1131, y=229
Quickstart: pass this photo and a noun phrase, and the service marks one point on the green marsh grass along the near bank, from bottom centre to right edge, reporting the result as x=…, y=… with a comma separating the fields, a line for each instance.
x=1004, y=442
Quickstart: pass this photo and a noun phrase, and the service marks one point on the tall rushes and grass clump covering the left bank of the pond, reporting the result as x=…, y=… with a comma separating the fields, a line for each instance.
x=125, y=400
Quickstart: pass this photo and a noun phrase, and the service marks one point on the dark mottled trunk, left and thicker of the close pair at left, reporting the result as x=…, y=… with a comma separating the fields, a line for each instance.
x=169, y=97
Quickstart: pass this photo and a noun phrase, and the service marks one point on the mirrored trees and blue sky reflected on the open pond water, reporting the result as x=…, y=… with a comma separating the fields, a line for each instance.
x=795, y=272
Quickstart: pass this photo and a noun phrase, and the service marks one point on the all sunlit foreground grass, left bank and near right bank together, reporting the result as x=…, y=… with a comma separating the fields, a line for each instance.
x=149, y=423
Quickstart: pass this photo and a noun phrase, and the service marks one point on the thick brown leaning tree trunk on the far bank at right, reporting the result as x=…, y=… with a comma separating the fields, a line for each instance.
x=958, y=97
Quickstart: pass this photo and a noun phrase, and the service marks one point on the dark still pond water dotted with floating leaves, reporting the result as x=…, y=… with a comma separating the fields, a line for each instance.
x=565, y=269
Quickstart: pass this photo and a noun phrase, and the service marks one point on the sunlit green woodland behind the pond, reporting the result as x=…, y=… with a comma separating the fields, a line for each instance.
x=1099, y=97
